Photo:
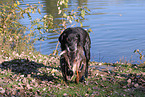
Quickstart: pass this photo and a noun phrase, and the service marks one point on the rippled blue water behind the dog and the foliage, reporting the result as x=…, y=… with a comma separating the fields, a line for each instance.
x=118, y=27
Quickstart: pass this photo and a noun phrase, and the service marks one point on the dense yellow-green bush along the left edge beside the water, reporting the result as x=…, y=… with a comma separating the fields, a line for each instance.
x=12, y=32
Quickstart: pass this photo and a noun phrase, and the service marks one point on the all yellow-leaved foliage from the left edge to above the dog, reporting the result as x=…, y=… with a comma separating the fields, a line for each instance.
x=13, y=35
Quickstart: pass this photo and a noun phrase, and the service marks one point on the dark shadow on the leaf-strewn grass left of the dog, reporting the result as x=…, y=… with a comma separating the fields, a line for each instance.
x=25, y=67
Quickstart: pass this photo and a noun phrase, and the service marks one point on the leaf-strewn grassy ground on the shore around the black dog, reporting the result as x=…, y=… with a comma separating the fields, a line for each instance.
x=28, y=75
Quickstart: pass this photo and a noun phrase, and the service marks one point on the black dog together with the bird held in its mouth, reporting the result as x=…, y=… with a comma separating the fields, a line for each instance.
x=75, y=45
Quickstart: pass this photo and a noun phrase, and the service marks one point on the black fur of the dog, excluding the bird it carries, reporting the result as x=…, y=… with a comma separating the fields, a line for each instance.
x=70, y=39
